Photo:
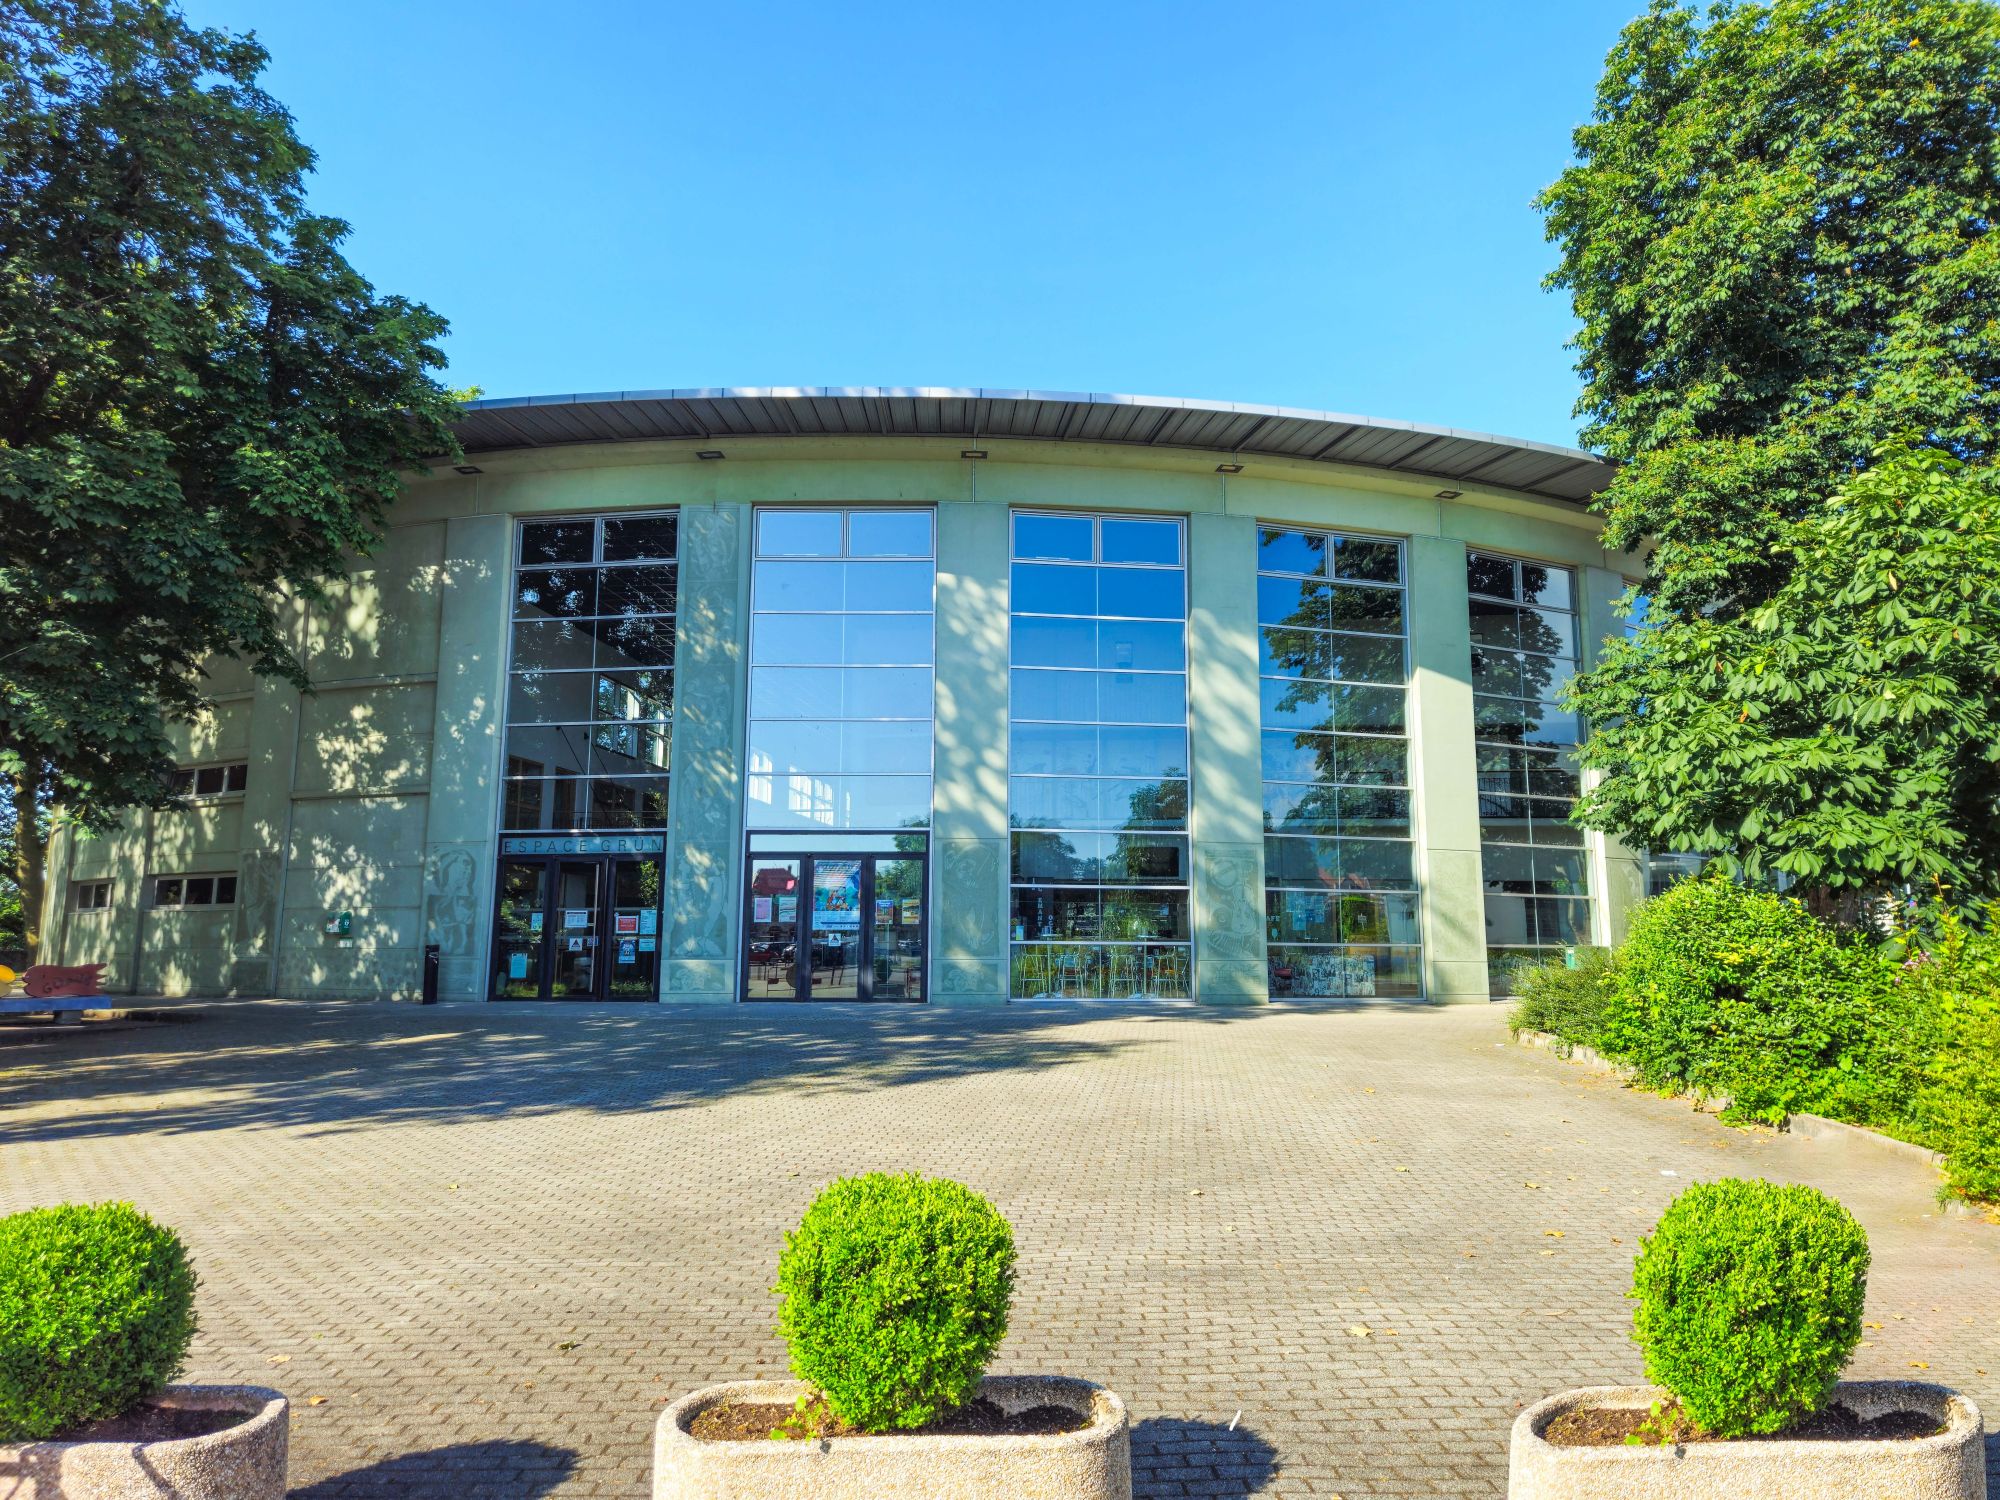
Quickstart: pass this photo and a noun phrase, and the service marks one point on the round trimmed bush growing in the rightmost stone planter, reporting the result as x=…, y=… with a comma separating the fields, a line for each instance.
x=1751, y=1303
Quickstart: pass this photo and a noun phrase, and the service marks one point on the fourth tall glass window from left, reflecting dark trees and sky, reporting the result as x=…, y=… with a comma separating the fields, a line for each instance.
x=1341, y=909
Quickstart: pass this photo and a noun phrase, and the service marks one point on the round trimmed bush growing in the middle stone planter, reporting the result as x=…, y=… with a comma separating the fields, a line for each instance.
x=895, y=1293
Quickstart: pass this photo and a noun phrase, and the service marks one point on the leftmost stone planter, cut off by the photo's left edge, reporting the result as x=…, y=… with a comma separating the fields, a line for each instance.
x=239, y=1463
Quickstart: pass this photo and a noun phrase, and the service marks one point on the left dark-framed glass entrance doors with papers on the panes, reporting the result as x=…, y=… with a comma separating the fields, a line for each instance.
x=579, y=929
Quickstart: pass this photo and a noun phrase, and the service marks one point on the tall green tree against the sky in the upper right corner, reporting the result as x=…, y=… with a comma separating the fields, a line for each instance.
x=1779, y=243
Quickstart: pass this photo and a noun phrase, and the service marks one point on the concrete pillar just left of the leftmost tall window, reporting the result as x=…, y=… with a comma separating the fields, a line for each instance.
x=465, y=751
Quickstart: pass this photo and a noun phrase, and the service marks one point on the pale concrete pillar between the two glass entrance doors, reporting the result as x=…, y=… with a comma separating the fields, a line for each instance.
x=705, y=823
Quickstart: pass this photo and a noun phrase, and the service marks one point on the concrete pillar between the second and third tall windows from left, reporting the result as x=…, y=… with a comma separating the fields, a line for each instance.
x=969, y=879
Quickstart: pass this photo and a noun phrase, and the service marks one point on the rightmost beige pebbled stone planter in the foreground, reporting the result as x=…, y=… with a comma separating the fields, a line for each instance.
x=1947, y=1467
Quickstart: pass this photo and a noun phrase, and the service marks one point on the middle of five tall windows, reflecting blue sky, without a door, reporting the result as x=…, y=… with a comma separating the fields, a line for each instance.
x=1099, y=759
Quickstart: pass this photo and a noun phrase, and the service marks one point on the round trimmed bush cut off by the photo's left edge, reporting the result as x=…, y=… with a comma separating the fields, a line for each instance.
x=97, y=1313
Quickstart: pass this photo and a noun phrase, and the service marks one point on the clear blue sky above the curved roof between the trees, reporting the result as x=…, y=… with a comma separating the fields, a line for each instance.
x=1309, y=205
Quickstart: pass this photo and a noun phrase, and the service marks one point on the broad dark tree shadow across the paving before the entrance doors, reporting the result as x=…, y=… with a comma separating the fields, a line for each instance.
x=335, y=1067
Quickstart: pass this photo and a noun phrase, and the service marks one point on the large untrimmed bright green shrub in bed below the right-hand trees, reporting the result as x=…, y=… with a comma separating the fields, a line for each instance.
x=1731, y=991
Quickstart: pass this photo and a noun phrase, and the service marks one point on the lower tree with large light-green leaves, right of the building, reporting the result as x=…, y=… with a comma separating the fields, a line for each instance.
x=1847, y=731
